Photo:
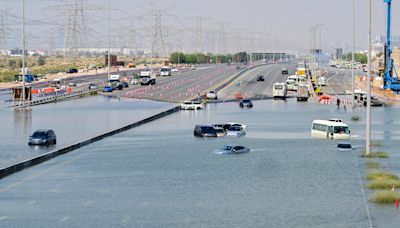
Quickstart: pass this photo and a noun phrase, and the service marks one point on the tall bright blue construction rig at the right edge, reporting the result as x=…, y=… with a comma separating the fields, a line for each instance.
x=390, y=82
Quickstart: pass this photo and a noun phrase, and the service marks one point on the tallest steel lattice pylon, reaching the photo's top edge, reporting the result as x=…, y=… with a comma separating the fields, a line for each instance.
x=76, y=28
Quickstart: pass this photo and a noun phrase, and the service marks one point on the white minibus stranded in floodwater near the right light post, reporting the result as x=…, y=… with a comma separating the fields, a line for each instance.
x=330, y=129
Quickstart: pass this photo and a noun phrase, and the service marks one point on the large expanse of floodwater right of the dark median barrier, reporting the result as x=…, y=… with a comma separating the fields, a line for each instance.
x=160, y=175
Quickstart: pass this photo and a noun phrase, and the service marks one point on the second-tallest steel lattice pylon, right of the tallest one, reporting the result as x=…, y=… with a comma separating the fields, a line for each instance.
x=158, y=45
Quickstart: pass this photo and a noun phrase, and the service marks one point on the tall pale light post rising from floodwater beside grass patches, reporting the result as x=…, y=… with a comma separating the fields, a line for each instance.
x=368, y=123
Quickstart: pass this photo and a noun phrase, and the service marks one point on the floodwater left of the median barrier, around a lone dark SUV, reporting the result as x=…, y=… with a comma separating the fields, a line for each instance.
x=73, y=121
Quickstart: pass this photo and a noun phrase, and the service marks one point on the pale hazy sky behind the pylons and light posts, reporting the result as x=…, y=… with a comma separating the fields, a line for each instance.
x=282, y=24
